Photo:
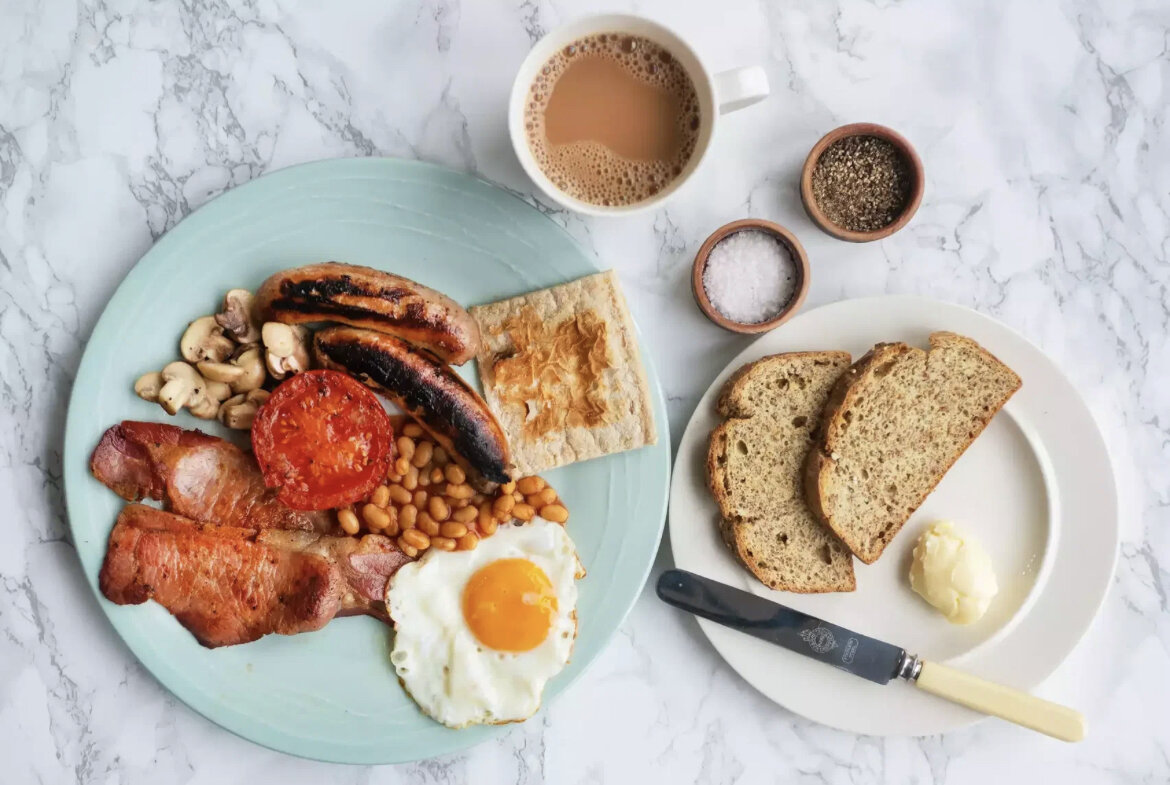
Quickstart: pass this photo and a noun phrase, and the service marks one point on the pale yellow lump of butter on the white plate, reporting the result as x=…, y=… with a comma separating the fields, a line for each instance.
x=953, y=573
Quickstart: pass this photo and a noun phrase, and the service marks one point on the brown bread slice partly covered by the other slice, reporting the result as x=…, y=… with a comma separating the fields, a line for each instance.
x=754, y=469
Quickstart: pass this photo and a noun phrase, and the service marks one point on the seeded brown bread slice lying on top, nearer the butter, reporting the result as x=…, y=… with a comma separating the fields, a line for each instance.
x=894, y=425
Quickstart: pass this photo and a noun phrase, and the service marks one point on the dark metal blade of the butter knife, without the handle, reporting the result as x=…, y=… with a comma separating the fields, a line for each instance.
x=772, y=622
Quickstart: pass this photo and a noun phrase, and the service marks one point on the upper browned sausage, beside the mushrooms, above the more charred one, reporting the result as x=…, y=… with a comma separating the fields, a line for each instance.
x=366, y=298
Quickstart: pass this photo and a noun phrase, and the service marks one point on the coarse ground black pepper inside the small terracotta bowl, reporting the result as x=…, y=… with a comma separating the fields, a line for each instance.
x=862, y=183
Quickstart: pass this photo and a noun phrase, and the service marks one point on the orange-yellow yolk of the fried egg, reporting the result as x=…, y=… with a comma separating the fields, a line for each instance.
x=510, y=605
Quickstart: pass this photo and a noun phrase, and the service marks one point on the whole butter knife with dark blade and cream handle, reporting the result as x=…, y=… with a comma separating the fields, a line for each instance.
x=861, y=655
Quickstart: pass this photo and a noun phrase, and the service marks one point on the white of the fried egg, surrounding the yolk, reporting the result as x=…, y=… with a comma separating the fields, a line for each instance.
x=444, y=667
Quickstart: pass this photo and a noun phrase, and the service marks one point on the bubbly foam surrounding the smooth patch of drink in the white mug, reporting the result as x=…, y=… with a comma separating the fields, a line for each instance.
x=589, y=170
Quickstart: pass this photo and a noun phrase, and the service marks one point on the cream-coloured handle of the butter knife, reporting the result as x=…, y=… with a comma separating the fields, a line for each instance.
x=1004, y=703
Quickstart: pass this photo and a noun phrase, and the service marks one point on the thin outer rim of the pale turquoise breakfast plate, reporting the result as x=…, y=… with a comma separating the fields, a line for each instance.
x=73, y=453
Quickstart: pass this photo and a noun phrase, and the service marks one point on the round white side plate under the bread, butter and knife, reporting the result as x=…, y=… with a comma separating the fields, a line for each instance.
x=1037, y=488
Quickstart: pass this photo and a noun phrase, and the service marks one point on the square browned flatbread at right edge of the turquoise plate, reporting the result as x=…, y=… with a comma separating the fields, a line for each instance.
x=562, y=374
